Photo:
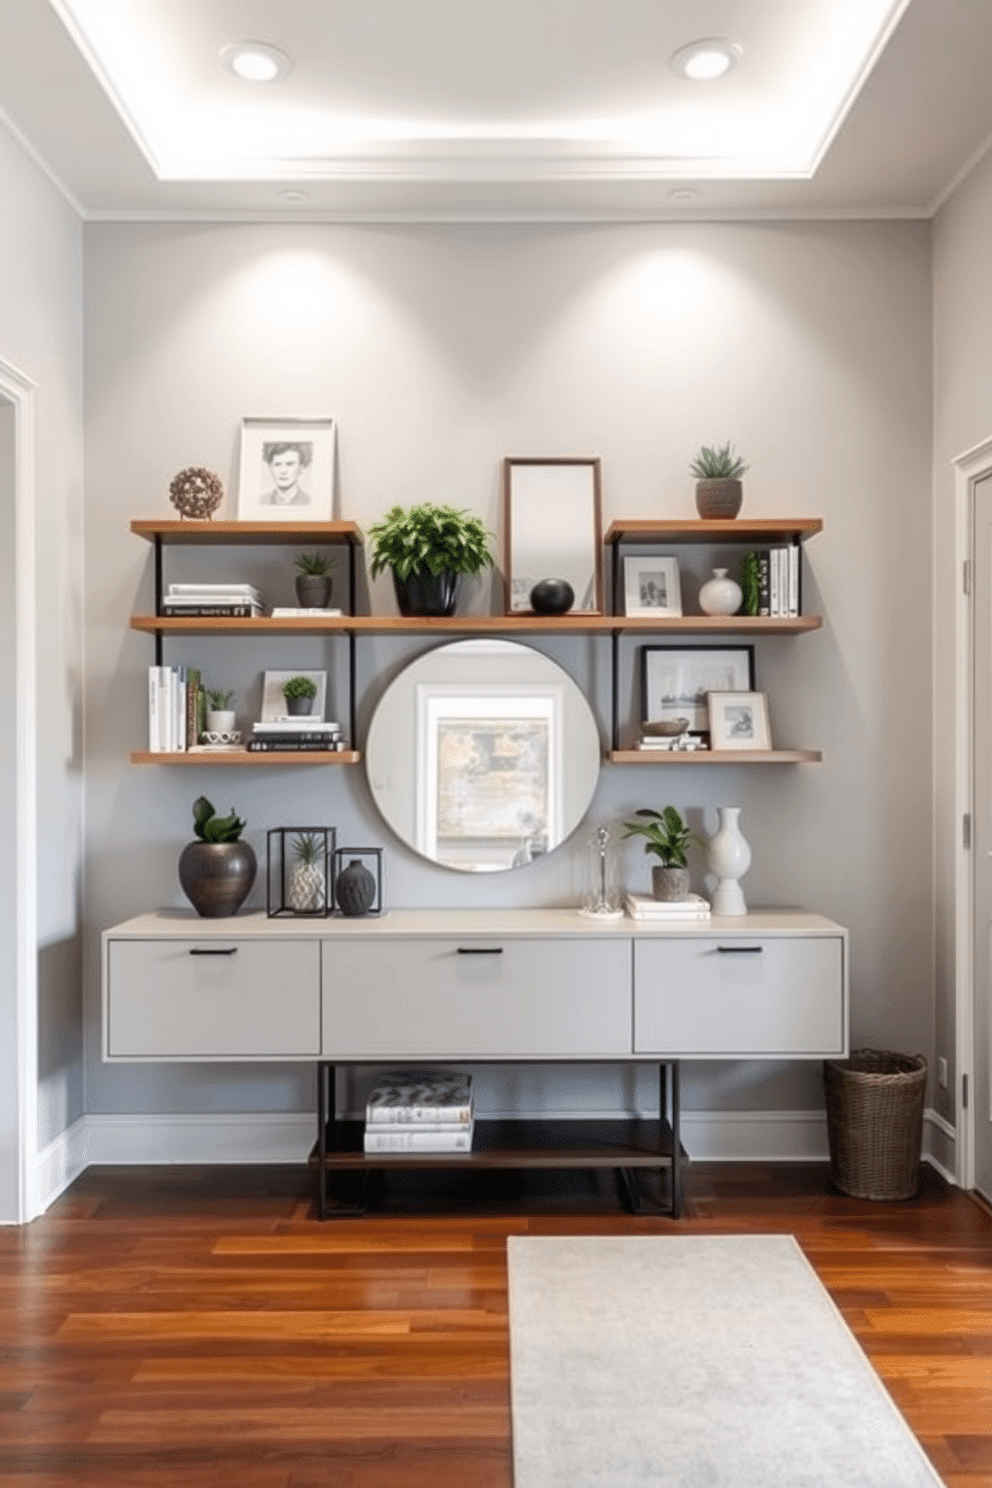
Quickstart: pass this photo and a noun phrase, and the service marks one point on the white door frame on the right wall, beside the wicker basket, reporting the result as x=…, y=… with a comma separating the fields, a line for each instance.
x=969, y=468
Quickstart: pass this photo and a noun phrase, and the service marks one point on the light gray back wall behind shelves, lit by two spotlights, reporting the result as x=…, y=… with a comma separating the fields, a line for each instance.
x=439, y=350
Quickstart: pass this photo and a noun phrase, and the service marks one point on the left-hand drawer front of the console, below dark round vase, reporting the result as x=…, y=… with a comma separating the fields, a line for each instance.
x=242, y=1001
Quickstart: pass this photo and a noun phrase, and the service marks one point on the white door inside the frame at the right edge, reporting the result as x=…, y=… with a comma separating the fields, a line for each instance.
x=982, y=797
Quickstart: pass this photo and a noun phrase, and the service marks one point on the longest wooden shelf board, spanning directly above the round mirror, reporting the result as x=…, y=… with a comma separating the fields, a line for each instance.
x=475, y=626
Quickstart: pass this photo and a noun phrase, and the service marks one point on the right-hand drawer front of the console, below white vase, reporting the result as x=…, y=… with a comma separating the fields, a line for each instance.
x=740, y=996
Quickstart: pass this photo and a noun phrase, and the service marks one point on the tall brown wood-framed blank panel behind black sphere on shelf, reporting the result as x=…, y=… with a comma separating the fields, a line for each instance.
x=553, y=526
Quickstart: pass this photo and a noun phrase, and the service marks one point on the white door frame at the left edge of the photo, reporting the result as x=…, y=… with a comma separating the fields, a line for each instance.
x=20, y=391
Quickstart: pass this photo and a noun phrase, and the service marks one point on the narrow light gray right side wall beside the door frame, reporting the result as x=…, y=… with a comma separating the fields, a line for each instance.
x=963, y=419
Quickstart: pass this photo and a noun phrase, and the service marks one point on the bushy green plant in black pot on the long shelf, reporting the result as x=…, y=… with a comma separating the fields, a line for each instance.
x=429, y=548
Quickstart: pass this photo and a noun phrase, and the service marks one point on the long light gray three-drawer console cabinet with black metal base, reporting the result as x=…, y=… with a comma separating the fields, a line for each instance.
x=474, y=987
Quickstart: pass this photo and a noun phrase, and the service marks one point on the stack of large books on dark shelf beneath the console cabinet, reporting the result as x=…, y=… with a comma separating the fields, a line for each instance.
x=422, y=1114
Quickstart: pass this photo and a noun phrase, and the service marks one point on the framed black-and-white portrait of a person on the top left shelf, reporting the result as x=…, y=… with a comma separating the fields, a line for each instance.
x=286, y=471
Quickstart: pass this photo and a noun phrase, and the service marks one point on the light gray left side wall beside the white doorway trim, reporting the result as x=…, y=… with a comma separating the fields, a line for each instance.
x=41, y=334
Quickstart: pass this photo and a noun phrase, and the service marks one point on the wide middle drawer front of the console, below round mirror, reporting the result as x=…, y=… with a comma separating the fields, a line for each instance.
x=486, y=999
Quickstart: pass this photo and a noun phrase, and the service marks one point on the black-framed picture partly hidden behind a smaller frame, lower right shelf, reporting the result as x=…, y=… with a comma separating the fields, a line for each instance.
x=676, y=681
